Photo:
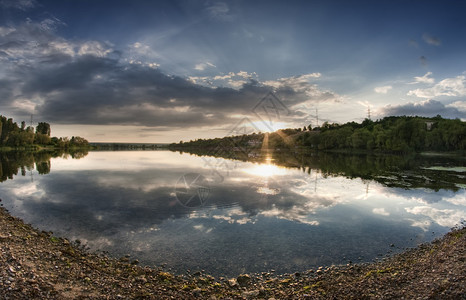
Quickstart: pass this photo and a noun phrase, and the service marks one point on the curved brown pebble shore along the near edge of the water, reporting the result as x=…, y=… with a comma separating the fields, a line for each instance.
x=37, y=265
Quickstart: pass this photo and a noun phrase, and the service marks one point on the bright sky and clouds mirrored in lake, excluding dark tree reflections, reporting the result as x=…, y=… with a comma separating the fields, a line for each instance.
x=260, y=217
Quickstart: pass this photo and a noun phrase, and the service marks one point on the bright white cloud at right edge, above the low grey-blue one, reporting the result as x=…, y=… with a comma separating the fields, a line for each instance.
x=450, y=87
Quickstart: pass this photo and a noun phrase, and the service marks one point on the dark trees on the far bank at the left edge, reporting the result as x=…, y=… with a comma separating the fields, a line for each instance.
x=12, y=135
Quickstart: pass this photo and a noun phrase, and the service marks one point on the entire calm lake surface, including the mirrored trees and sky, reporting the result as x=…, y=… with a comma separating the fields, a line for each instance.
x=282, y=212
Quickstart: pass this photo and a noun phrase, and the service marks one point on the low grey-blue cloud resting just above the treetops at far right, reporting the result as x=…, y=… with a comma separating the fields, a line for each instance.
x=428, y=108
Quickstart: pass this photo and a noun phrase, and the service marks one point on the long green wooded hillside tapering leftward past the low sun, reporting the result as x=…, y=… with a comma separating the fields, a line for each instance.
x=395, y=134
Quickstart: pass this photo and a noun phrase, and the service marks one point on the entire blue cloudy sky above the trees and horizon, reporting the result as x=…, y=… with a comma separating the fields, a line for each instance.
x=165, y=71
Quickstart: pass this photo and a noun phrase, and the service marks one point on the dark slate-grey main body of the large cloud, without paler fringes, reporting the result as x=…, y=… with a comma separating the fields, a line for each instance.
x=102, y=91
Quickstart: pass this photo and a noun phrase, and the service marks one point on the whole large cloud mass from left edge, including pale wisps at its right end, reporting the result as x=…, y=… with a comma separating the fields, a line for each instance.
x=89, y=82
